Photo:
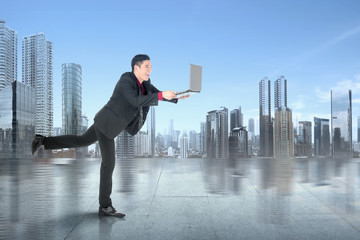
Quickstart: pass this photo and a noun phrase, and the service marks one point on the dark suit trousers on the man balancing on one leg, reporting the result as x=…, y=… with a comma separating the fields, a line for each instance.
x=107, y=148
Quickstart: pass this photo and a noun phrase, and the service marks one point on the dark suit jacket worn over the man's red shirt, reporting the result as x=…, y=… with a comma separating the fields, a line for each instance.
x=127, y=108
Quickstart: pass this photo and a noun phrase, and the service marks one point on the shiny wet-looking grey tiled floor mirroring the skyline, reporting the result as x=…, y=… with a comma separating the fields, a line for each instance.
x=255, y=198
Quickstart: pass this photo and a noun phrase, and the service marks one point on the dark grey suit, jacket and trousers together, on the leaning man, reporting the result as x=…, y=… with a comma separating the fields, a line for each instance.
x=126, y=109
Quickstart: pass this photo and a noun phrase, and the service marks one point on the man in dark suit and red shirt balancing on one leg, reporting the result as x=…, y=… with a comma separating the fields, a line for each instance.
x=127, y=109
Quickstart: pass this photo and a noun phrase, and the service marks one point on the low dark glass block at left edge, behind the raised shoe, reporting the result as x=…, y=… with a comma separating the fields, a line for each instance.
x=17, y=120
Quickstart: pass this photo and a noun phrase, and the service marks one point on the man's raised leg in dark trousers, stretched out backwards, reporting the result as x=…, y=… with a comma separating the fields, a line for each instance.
x=70, y=141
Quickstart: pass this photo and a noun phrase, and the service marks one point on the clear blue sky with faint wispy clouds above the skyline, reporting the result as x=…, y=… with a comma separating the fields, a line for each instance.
x=314, y=44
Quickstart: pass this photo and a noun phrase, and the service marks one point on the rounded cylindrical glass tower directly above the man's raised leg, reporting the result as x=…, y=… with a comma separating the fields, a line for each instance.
x=71, y=99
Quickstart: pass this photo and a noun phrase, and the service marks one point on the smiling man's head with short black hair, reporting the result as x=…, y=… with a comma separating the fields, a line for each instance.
x=141, y=67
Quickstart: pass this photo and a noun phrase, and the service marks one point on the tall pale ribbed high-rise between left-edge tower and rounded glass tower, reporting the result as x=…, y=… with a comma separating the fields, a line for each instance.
x=37, y=71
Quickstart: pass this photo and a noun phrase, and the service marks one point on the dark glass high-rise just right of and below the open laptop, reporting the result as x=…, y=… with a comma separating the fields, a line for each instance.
x=217, y=130
